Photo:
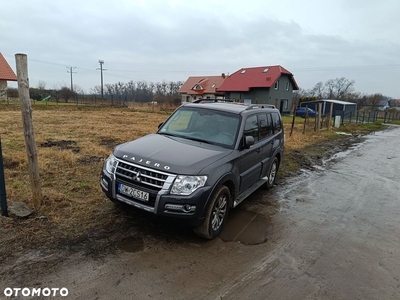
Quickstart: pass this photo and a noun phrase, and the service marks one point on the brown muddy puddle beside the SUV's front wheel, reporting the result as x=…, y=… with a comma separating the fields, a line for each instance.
x=246, y=227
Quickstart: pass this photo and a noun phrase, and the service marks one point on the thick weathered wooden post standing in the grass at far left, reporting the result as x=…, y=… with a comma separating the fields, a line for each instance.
x=26, y=109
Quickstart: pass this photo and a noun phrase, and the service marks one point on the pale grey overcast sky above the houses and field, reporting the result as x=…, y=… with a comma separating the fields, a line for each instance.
x=145, y=40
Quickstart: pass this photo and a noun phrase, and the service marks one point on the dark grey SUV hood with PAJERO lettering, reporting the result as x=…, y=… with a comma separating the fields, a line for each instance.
x=170, y=154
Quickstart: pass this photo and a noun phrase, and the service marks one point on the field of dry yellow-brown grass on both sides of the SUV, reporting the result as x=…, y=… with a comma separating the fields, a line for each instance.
x=72, y=143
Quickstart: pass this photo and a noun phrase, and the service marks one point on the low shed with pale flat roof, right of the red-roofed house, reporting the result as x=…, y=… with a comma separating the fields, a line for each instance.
x=340, y=108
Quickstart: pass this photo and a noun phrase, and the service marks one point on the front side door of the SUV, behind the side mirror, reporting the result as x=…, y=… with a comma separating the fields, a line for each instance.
x=250, y=159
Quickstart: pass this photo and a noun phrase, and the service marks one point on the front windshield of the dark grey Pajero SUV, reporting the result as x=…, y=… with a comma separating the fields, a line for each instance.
x=204, y=125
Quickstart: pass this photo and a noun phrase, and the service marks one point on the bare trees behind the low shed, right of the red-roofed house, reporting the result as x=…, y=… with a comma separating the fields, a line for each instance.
x=340, y=89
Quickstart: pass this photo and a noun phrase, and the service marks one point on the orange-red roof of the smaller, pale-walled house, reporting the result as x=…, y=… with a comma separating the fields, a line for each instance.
x=208, y=84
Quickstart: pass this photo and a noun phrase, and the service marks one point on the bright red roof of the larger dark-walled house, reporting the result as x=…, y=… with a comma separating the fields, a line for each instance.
x=258, y=77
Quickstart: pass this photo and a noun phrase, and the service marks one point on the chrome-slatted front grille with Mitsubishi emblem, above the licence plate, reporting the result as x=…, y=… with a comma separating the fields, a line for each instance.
x=140, y=176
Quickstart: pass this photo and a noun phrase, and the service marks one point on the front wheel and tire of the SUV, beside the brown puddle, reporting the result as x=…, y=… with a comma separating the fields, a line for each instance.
x=216, y=215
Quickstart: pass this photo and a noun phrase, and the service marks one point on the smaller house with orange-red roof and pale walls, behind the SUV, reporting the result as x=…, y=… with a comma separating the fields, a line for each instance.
x=202, y=87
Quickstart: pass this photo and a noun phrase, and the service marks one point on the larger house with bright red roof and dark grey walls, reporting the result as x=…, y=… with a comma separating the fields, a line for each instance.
x=261, y=85
